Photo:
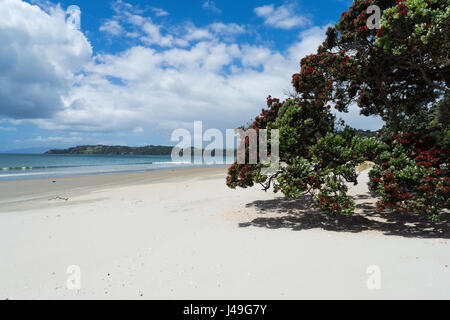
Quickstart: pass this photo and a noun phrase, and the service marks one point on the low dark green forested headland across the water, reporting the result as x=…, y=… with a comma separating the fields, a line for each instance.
x=114, y=150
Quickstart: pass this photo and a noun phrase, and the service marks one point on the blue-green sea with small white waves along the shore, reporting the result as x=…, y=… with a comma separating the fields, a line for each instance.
x=29, y=166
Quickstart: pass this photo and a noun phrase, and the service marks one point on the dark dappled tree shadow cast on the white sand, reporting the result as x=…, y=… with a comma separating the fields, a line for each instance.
x=303, y=214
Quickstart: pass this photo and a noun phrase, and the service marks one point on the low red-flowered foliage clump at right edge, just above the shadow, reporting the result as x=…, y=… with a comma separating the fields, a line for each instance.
x=415, y=176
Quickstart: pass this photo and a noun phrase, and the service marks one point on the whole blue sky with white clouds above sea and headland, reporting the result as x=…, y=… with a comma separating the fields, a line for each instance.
x=130, y=72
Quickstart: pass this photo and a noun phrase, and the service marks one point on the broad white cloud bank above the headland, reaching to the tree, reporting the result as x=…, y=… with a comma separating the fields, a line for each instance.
x=170, y=88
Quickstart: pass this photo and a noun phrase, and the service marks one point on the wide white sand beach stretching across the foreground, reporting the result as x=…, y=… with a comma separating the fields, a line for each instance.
x=182, y=234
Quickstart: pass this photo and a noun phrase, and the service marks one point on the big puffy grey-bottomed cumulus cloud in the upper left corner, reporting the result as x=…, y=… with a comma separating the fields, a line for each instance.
x=40, y=56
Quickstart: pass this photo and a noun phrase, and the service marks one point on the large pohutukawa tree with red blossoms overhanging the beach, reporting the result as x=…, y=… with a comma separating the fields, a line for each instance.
x=398, y=72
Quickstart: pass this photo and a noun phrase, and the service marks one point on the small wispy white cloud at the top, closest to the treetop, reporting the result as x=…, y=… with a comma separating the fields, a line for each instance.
x=282, y=17
